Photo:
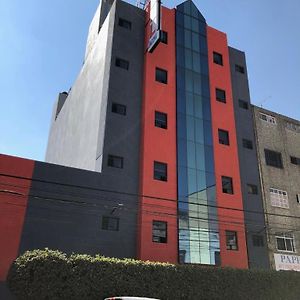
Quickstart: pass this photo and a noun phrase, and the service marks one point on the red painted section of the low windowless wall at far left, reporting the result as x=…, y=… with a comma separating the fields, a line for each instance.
x=13, y=204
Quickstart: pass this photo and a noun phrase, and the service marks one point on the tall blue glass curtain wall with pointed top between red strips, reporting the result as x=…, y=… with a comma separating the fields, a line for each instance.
x=198, y=226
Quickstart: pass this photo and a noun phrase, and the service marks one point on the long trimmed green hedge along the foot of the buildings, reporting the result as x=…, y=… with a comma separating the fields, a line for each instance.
x=47, y=274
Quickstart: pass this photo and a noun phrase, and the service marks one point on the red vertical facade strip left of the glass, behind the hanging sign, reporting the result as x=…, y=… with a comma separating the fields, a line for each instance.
x=159, y=144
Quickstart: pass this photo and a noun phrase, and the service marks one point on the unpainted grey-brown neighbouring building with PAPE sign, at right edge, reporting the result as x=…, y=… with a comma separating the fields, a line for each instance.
x=278, y=145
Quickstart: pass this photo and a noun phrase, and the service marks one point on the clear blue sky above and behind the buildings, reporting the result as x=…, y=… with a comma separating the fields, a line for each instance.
x=42, y=45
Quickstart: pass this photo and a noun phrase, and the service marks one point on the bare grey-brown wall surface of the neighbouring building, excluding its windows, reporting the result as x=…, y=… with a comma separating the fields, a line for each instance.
x=278, y=138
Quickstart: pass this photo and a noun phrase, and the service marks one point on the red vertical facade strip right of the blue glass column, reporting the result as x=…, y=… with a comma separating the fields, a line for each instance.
x=226, y=157
